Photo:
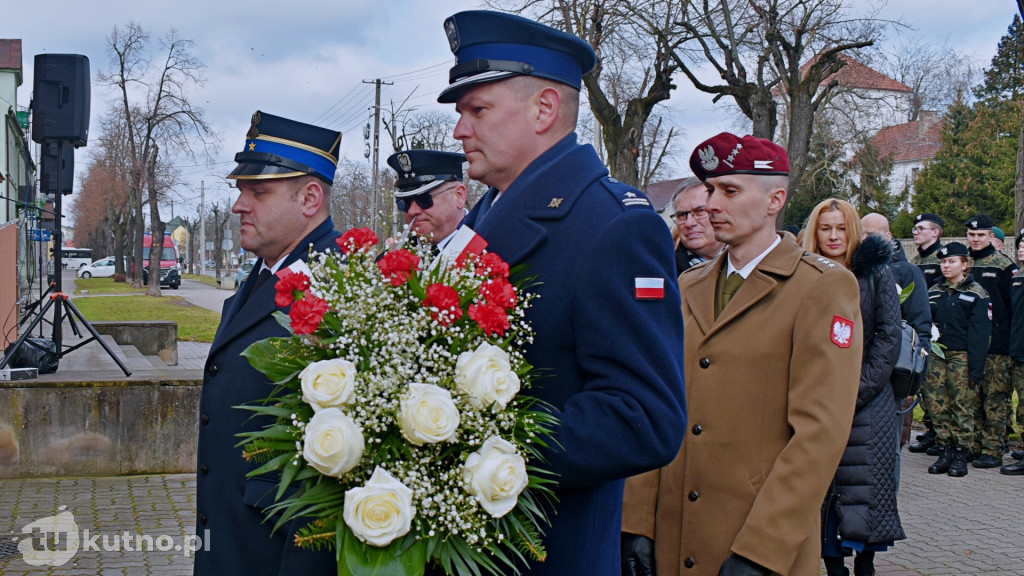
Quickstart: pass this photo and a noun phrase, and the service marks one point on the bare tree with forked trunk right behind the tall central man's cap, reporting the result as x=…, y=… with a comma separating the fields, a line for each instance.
x=634, y=68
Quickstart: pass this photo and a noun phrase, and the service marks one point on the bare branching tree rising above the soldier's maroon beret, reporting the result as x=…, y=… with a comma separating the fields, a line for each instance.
x=766, y=51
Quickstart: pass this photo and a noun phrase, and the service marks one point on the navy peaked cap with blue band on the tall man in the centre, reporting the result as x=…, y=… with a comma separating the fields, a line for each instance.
x=493, y=47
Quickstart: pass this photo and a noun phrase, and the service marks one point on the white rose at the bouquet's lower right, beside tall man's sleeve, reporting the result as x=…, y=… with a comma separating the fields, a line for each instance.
x=496, y=476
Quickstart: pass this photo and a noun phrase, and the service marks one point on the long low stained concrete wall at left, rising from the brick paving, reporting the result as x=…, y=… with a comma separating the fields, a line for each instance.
x=99, y=429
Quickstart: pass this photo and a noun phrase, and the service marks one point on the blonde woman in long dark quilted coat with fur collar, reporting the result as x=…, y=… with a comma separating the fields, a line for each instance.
x=860, y=513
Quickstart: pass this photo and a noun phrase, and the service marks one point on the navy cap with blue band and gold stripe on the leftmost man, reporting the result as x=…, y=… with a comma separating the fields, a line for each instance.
x=279, y=148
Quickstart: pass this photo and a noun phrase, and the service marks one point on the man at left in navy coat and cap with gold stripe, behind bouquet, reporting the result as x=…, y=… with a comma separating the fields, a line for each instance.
x=284, y=177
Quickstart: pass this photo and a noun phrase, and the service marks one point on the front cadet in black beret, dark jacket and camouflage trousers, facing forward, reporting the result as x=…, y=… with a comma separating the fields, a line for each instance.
x=960, y=311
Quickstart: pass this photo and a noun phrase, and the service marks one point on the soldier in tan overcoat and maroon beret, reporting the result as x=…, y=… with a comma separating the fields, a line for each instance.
x=773, y=373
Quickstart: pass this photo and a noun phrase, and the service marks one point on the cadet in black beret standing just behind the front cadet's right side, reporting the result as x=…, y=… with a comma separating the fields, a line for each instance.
x=995, y=272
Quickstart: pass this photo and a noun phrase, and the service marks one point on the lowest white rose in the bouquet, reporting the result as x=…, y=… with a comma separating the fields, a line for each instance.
x=381, y=511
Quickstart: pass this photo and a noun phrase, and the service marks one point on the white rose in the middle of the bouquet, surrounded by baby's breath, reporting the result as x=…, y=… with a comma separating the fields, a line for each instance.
x=428, y=415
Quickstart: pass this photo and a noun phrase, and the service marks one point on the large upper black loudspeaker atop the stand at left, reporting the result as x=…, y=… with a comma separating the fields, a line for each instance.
x=61, y=99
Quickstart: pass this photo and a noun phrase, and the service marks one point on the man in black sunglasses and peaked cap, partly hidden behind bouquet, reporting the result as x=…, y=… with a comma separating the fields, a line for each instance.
x=431, y=193
